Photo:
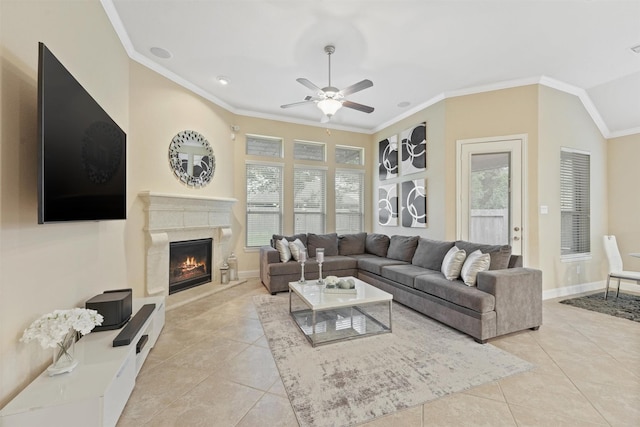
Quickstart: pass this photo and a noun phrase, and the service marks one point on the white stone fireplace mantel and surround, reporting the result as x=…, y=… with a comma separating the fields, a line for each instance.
x=174, y=218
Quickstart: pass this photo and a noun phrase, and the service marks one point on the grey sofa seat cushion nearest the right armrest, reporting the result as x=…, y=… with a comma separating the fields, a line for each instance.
x=456, y=292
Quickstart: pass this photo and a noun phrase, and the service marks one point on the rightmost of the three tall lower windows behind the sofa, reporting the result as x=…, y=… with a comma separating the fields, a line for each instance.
x=349, y=201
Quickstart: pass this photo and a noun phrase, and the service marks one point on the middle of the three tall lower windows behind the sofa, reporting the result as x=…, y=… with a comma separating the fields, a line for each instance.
x=309, y=196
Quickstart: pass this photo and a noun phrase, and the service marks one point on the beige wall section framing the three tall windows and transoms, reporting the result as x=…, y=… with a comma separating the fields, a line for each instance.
x=248, y=258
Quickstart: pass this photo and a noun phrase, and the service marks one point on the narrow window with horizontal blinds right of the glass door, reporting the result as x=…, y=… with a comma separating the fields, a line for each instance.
x=575, y=202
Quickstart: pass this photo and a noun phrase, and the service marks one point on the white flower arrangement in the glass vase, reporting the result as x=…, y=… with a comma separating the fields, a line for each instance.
x=51, y=328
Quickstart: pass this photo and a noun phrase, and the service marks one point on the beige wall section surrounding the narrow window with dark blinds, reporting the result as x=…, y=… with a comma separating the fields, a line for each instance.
x=565, y=123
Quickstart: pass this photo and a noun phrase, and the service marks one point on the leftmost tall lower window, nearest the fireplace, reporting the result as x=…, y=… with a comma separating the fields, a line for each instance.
x=264, y=203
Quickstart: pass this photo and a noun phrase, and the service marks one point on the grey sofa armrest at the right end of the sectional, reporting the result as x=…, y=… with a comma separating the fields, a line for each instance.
x=518, y=294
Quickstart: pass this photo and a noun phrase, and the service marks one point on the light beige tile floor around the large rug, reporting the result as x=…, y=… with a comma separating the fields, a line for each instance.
x=212, y=366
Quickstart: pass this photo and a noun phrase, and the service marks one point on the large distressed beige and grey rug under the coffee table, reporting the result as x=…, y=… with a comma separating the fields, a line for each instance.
x=351, y=382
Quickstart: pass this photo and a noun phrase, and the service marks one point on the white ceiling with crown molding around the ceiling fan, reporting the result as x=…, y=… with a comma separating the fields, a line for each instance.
x=416, y=51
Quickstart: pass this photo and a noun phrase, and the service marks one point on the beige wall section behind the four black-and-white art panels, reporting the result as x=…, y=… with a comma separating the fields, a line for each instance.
x=434, y=175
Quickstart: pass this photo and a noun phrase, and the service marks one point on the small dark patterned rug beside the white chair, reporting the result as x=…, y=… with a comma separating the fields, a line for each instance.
x=626, y=306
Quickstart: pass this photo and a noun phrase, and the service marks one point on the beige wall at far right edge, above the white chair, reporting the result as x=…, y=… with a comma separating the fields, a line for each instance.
x=623, y=176
